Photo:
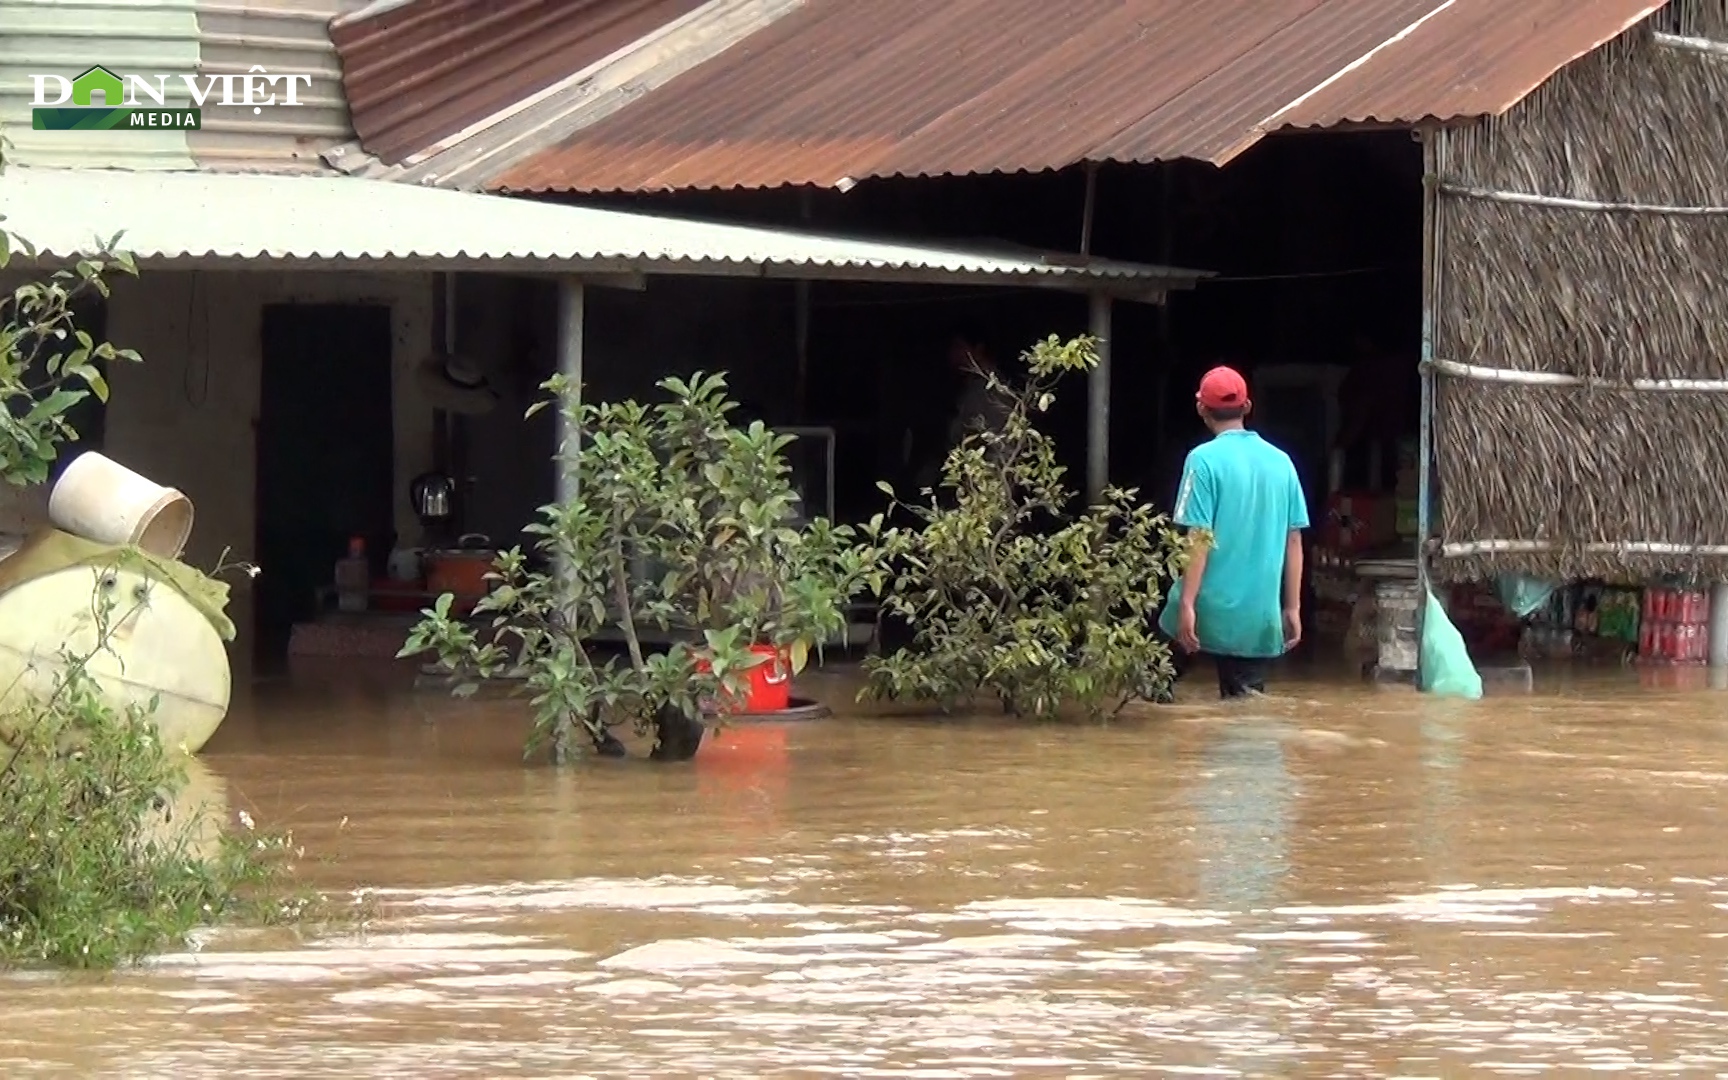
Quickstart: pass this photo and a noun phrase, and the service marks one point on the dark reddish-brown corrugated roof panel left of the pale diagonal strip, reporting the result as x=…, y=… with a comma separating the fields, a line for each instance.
x=417, y=73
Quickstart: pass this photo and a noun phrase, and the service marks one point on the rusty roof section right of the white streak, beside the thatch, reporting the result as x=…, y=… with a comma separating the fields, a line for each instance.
x=1473, y=58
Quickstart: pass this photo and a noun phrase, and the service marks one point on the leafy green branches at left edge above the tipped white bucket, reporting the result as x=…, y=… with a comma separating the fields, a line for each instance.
x=48, y=362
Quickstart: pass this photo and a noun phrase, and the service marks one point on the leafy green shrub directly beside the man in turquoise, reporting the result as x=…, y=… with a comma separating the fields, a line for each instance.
x=1012, y=594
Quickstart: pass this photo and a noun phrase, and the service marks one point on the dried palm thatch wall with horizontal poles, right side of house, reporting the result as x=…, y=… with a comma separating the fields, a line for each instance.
x=1599, y=295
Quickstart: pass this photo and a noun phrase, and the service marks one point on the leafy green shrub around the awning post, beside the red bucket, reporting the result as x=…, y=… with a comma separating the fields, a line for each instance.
x=683, y=523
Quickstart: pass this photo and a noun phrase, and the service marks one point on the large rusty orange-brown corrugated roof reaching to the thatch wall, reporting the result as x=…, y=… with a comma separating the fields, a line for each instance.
x=842, y=91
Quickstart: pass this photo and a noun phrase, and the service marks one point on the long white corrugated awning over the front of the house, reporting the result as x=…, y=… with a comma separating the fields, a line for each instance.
x=322, y=222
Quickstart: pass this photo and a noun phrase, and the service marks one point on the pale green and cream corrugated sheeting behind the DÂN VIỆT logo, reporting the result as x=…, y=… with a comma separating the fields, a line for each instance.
x=177, y=37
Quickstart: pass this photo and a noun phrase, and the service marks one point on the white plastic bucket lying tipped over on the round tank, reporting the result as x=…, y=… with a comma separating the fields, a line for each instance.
x=101, y=500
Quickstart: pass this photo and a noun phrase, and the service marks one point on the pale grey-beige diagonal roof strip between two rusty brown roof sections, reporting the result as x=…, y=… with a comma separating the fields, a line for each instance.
x=493, y=144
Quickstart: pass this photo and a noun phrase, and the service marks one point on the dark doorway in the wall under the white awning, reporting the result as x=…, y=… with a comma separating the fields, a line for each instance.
x=326, y=457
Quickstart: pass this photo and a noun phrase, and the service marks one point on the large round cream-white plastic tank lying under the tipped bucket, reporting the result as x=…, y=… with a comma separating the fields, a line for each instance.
x=162, y=647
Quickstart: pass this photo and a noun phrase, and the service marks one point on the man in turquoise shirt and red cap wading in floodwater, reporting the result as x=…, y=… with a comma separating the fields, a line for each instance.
x=1240, y=599
